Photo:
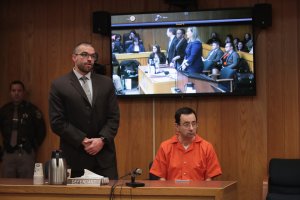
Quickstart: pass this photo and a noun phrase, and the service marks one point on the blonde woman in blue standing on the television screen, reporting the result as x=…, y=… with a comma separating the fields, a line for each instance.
x=193, y=53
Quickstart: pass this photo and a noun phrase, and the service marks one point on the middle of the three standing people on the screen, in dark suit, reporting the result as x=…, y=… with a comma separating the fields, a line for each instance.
x=179, y=49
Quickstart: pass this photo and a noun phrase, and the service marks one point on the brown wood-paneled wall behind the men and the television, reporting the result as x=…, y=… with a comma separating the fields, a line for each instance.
x=37, y=38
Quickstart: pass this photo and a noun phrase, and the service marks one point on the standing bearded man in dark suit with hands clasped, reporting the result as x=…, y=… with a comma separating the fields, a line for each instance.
x=84, y=112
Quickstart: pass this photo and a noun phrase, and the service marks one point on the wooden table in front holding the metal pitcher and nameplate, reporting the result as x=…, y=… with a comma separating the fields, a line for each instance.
x=23, y=189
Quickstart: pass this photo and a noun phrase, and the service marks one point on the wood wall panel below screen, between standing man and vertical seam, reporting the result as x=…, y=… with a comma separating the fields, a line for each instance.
x=134, y=140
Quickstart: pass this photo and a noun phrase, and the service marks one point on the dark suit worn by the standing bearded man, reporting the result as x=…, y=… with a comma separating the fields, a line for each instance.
x=73, y=118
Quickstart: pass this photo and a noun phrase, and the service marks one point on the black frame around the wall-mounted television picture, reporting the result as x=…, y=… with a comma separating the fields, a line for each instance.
x=188, y=95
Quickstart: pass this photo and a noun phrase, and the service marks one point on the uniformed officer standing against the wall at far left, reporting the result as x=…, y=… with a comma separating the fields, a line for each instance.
x=23, y=131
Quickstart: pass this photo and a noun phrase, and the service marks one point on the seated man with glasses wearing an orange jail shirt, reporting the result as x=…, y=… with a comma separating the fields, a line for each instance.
x=186, y=156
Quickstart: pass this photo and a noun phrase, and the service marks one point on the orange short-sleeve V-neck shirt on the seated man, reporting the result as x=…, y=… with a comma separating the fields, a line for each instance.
x=198, y=162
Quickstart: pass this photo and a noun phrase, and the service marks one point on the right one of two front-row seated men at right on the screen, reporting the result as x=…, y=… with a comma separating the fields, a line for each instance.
x=230, y=58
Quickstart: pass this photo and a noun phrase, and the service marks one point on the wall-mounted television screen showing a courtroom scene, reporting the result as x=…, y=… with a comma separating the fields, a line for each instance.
x=206, y=52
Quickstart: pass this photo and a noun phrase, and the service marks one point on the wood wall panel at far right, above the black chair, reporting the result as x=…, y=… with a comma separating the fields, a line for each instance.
x=284, y=107
